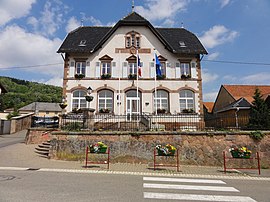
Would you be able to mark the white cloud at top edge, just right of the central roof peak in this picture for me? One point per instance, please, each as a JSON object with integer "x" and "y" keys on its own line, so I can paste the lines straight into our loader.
{"x": 161, "y": 9}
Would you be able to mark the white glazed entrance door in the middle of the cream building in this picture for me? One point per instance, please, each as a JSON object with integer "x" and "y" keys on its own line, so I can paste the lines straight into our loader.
{"x": 133, "y": 108}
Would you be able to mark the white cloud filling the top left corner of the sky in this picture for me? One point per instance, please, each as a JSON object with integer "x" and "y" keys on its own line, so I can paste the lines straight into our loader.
{"x": 13, "y": 9}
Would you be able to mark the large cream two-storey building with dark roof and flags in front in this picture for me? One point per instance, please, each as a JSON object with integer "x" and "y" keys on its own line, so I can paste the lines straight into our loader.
{"x": 119, "y": 66}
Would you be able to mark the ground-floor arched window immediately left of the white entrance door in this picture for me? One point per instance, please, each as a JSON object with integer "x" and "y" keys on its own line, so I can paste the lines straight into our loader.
{"x": 105, "y": 101}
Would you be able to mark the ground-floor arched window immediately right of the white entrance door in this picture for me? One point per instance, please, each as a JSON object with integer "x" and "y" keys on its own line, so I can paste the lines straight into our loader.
{"x": 161, "y": 102}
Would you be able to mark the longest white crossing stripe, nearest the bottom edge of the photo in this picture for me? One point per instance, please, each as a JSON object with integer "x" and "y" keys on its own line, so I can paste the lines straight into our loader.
{"x": 196, "y": 197}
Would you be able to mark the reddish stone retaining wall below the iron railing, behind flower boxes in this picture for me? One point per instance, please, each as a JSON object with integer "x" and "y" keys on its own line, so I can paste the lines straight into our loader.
{"x": 197, "y": 148}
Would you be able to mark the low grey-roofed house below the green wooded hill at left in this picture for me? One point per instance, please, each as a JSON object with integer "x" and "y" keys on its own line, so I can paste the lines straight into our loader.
{"x": 42, "y": 109}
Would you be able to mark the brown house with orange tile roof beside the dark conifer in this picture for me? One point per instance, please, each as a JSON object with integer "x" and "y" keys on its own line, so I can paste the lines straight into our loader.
{"x": 232, "y": 105}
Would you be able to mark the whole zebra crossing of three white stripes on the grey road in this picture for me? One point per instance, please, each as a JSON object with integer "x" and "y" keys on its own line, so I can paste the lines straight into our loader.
{"x": 182, "y": 189}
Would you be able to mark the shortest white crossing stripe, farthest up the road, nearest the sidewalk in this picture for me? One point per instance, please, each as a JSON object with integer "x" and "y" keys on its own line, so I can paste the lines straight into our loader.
{"x": 162, "y": 179}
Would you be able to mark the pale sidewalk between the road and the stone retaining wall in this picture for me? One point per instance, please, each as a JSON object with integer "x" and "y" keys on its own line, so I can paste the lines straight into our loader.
{"x": 24, "y": 156}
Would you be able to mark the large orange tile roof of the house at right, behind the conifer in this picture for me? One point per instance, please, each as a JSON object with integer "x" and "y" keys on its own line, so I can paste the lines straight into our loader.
{"x": 246, "y": 91}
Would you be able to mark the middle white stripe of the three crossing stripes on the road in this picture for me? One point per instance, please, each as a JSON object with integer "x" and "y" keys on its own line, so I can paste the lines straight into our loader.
{"x": 190, "y": 187}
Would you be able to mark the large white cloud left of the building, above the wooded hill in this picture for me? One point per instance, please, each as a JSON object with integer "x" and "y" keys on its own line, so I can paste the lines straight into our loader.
{"x": 26, "y": 49}
